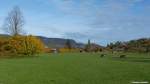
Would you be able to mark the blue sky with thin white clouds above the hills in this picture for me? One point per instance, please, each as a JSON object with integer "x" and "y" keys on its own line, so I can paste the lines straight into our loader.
{"x": 101, "y": 21}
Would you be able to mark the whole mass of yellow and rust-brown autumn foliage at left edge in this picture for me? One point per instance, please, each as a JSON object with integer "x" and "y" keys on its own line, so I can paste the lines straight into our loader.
{"x": 24, "y": 45}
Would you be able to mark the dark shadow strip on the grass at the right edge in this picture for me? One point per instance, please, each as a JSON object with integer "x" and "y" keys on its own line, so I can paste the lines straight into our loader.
{"x": 133, "y": 59}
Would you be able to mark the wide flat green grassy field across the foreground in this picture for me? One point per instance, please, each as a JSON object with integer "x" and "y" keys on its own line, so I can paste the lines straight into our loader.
{"x": 75, "y": 68}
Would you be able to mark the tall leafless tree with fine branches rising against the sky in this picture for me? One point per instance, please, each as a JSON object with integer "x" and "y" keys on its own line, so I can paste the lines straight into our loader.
{"x": 14, "y": 22}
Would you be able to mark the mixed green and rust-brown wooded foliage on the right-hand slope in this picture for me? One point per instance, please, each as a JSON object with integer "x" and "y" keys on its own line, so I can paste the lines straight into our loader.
{"x": 139, "y": 45}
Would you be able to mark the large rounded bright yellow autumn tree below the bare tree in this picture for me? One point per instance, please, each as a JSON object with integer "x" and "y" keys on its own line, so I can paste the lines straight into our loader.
{"x": 27, "y": 45}
